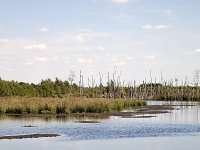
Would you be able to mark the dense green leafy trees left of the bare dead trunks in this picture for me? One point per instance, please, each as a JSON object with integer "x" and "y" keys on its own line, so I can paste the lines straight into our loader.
{"x": 46, "y": 88}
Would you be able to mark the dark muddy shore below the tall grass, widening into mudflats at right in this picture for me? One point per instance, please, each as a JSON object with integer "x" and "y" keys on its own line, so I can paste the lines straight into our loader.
{"x": 145, "y": 110}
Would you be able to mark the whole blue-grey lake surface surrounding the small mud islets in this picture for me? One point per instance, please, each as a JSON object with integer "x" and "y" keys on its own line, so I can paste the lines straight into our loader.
{"x": 179, "y": 129}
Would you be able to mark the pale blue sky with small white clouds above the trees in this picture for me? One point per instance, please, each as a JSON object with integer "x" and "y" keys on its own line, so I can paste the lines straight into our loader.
{"x": 42, "y": 39}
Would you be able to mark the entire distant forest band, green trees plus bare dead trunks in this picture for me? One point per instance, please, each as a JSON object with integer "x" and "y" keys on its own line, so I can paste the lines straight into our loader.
{"x": 113, "y": 89}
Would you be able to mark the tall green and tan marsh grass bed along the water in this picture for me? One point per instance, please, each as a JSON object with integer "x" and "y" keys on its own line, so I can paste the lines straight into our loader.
{"x": 65, "y": 106}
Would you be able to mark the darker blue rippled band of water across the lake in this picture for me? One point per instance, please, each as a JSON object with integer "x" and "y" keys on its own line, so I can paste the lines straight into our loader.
{"x": 109, "y": 130}
